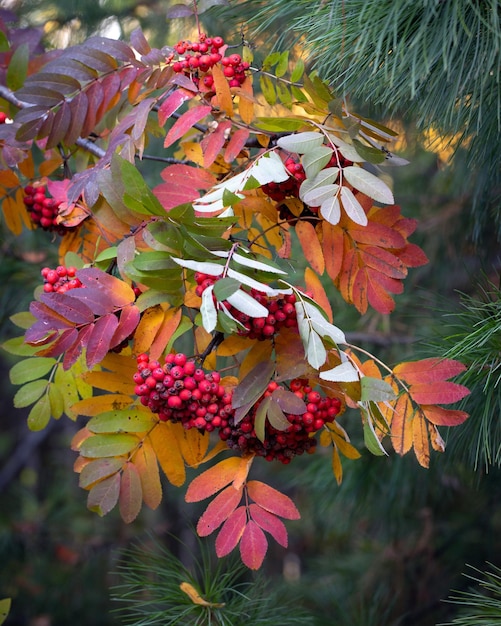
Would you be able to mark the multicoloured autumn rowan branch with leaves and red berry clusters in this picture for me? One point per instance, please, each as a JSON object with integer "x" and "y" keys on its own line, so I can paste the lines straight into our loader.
{"x": 264, "y": 165}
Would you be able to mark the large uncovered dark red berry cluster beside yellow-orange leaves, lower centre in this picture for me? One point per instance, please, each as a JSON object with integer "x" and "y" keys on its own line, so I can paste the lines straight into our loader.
{"x": 180, "y": 391}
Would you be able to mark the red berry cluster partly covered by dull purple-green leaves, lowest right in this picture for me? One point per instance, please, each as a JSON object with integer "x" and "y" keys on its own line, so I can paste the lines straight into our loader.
{"x": 283, "y": 445}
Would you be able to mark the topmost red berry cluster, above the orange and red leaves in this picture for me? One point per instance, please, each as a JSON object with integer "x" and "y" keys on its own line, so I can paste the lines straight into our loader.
{"x": 199, "y": 57}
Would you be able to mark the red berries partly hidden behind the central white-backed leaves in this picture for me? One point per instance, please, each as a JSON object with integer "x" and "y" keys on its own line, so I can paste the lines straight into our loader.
{"x": 282, "y": 312}
